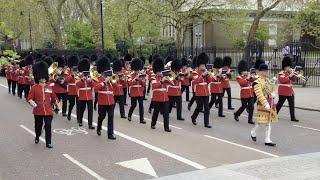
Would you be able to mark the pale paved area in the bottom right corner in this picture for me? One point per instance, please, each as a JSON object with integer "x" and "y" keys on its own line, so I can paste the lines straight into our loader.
{"x": 305, "y": 166}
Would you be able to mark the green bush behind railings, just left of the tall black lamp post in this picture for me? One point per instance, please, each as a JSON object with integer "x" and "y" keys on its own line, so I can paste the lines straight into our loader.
{"x": 80, "y": 36}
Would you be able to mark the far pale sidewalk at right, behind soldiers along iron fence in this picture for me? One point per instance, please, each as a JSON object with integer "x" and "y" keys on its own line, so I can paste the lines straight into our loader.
{"x": 307, "y": 98}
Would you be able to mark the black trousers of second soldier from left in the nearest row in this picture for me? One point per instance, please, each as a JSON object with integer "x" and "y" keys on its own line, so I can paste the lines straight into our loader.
{"x": 102, "y": 112}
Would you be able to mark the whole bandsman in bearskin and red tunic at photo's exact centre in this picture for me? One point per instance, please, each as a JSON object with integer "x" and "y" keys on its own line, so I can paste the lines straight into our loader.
{"x": 160, "y": 100}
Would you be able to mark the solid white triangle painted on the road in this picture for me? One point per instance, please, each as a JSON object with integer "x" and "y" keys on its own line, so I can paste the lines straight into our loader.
{"x": 142, "y": 165}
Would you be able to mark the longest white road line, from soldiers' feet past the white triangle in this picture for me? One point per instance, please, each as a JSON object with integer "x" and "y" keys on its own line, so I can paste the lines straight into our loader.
{"x": 154, "y": 148}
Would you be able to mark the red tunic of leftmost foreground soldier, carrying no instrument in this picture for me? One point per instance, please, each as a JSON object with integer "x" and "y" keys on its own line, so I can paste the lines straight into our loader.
{"x": 44, "y": 97}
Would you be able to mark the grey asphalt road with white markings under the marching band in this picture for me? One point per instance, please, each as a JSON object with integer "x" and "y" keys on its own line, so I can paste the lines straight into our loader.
{"x": 139, "y": 152}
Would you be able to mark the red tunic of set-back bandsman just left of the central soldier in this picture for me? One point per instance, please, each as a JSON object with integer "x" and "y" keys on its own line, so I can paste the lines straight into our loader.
{"x": 136, "y": 87}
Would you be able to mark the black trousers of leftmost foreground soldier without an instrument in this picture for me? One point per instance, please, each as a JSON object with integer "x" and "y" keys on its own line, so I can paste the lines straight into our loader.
{"x": 38, "y": 121}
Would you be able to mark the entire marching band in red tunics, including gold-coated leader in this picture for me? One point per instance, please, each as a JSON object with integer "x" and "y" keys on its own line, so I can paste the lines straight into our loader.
{"x": 49, "y": 85}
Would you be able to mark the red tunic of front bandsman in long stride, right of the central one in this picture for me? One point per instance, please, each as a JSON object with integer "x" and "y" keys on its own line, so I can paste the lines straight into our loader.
{"x": 200, "y": 84}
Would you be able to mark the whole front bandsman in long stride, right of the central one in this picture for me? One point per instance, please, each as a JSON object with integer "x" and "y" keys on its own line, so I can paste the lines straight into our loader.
{"x": 201, "y": 89}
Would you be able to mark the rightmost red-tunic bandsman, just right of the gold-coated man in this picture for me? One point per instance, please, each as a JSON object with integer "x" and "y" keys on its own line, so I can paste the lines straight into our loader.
{"x": 285, "y": 90}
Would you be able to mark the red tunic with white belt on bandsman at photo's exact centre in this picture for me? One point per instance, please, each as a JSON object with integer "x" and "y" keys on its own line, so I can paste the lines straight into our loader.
{"x": 159, "y": 90}
